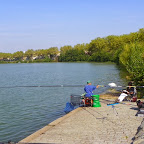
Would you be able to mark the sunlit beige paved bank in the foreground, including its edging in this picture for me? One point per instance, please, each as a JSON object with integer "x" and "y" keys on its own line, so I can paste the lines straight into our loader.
{"x": 89, "y": 125}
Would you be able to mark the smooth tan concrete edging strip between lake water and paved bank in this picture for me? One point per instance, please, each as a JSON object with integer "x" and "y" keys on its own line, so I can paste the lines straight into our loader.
{"x": 49, "y": 126}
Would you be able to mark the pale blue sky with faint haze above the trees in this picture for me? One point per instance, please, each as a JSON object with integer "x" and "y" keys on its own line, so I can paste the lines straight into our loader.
{"x": 41, "y": 24}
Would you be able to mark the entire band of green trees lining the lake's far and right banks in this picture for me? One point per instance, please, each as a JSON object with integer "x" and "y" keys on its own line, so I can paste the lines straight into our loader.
{"x": 126, "y": 50}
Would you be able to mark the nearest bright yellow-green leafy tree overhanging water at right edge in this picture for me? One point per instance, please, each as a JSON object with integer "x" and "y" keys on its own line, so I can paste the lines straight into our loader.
{"x": 133, "y": 61}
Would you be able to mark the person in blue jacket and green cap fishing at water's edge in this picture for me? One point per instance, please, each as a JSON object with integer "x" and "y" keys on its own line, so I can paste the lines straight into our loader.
{"x": 89, "y": 89}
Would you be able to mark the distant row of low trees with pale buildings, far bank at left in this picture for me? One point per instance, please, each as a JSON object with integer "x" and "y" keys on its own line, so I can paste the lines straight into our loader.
{"x": 41, "y": 55}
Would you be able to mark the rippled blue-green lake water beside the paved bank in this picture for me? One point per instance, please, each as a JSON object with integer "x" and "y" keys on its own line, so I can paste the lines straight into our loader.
{"x": 24, "y": 110}
